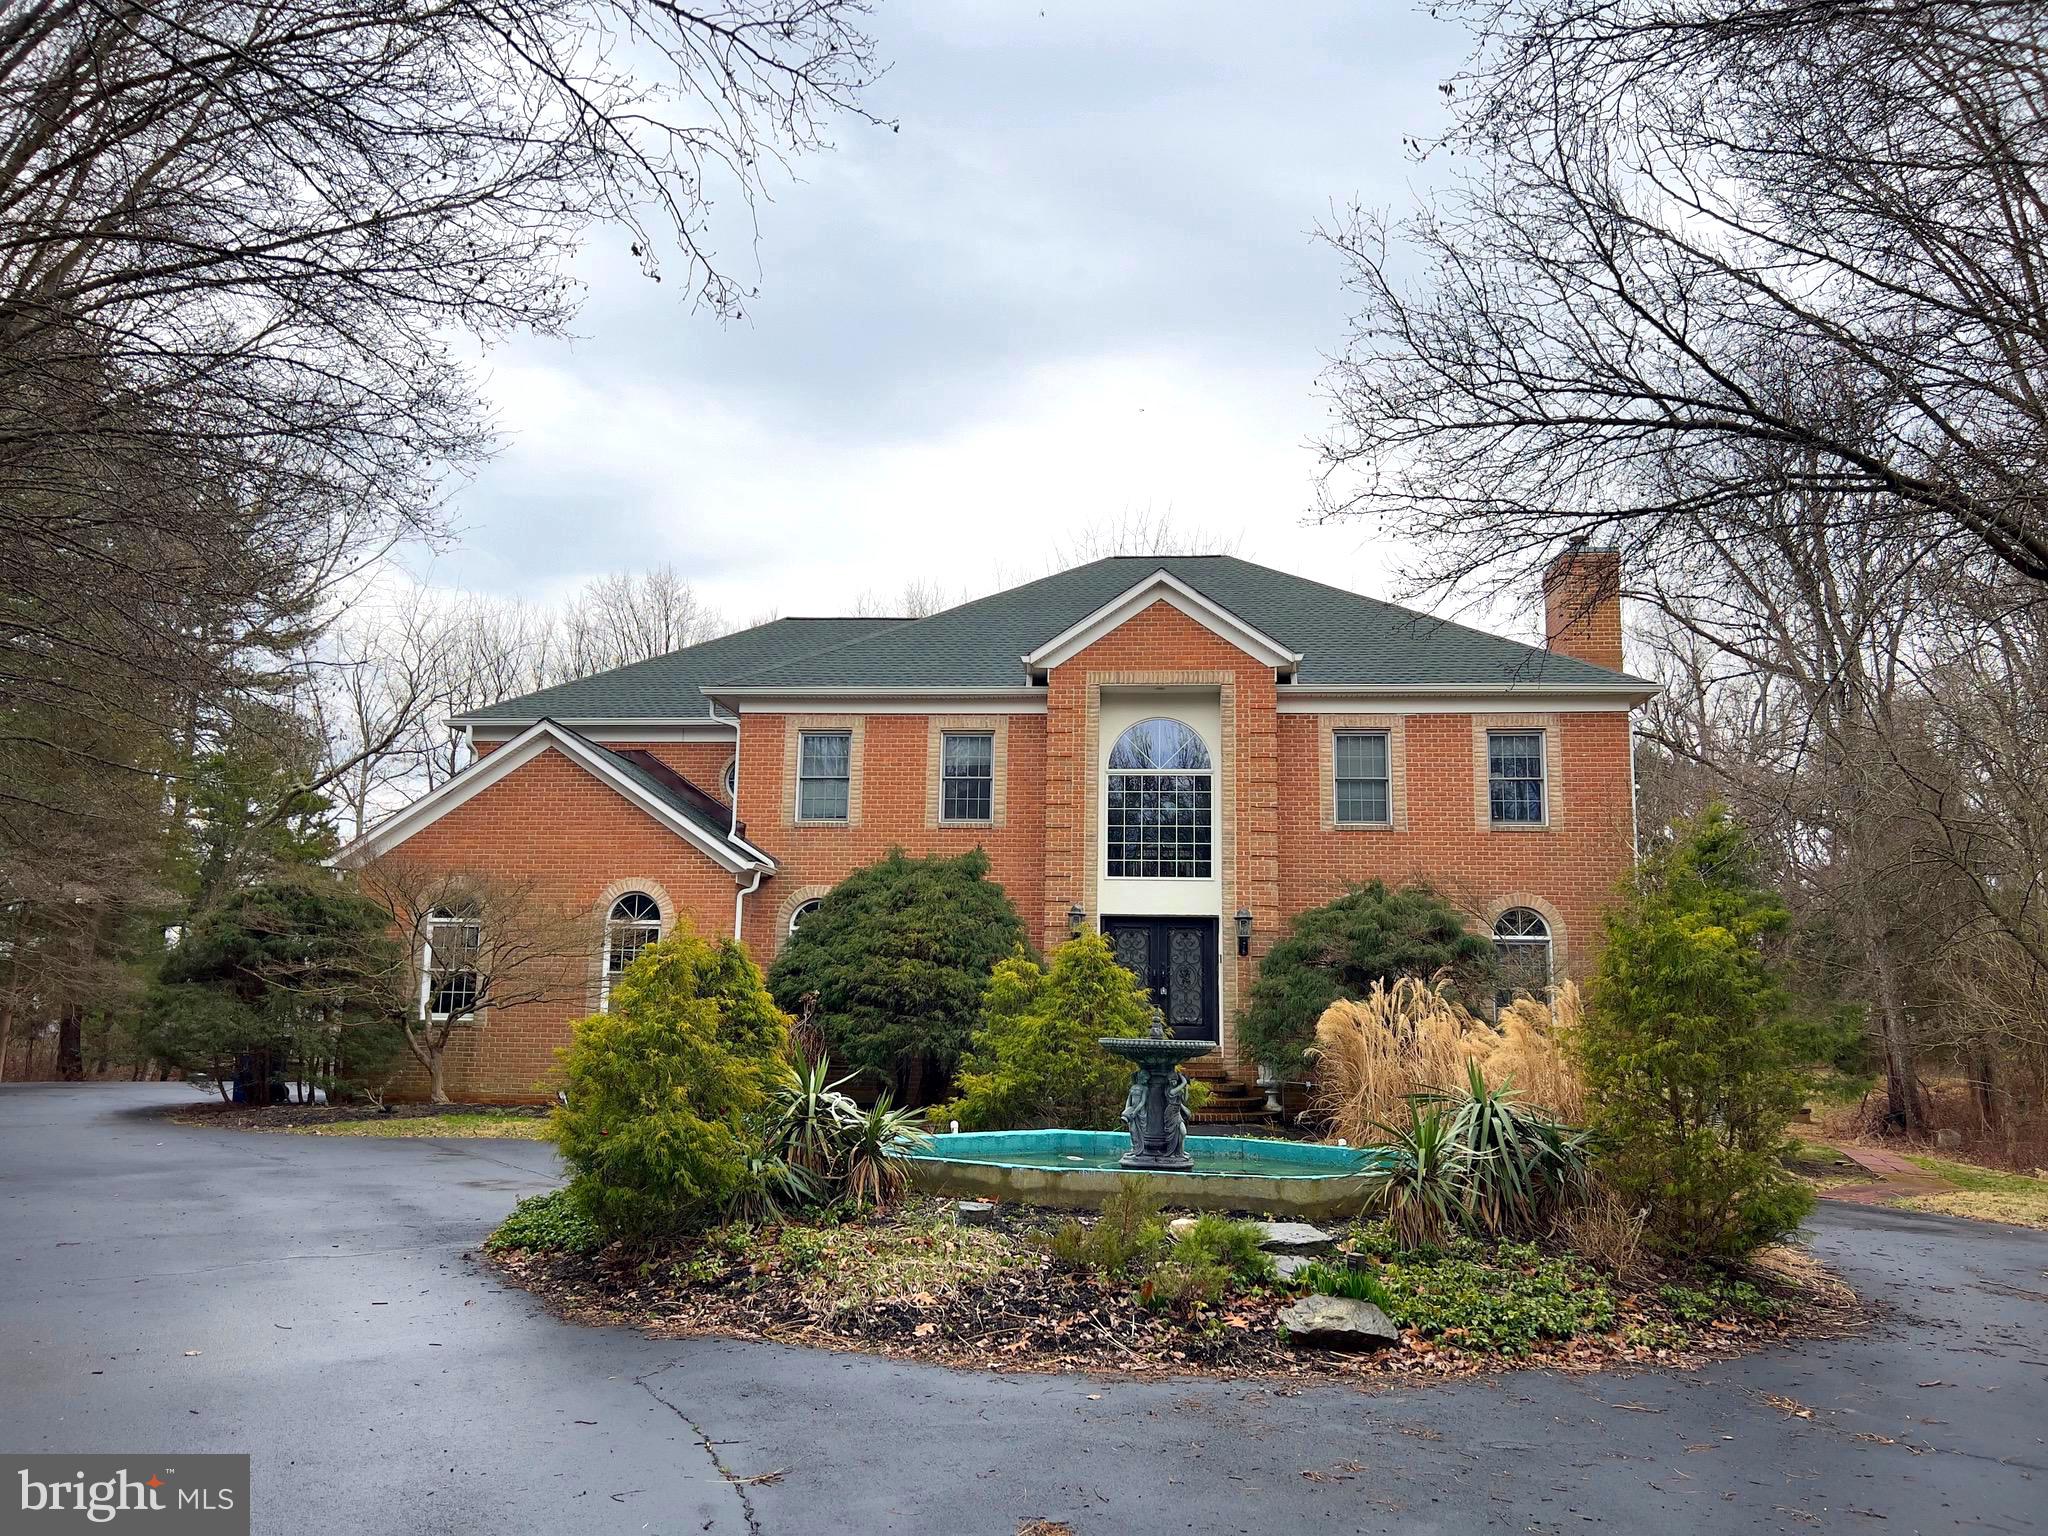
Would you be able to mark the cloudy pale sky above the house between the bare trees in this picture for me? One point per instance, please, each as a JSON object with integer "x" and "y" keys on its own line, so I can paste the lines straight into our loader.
{"x": 1078, "y": 284}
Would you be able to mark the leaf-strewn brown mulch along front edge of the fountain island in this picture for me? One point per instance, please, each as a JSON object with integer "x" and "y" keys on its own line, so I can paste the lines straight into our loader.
{"x": 1037, "y": 1316}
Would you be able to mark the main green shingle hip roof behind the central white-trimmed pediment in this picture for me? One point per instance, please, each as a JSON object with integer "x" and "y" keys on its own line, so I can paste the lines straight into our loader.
{"x": 1347, "y": 640}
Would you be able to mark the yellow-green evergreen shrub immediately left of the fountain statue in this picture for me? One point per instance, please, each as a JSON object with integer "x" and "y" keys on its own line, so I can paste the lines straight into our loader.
{"x": 1035, "y": 1062}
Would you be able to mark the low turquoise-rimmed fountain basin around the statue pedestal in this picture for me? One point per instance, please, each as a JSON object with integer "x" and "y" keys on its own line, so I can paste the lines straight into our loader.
{"x": 1080, "y": 1170}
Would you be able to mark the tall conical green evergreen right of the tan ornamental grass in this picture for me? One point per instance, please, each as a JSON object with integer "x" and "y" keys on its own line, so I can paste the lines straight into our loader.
{"x": 1693, "y": 1054}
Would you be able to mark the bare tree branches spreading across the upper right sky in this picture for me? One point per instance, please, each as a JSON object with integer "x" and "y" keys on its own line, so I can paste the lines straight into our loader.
{"x": 1676, "y": 234}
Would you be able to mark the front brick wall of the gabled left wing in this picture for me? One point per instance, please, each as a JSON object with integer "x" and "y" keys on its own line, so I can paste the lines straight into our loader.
{"x": 556, "y": 822}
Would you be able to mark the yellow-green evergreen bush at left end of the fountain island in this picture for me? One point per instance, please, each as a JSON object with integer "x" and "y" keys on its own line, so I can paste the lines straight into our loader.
{"x": 663, "y": 1093}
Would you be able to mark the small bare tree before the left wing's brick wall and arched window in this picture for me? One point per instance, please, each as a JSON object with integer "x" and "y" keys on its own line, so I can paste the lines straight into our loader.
{"x": 468, "y": 945}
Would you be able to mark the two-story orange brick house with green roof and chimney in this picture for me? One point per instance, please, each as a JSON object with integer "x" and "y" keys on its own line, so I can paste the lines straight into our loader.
{"x": 1179, "y": 751}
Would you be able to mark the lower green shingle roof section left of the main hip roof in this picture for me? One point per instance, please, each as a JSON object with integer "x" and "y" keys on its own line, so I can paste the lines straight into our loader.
{"x": 673, "y": 687}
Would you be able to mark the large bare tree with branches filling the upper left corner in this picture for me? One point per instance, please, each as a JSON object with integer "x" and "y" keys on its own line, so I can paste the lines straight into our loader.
{"x": 237, "y": 247}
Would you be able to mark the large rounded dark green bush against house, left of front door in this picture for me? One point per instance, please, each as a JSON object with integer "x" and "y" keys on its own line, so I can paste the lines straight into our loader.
{"x": 898, "y": 957}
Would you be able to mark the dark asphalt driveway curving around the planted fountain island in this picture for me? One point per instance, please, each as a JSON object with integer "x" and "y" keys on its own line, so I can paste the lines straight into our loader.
{"x": 384, "y": 1383}
